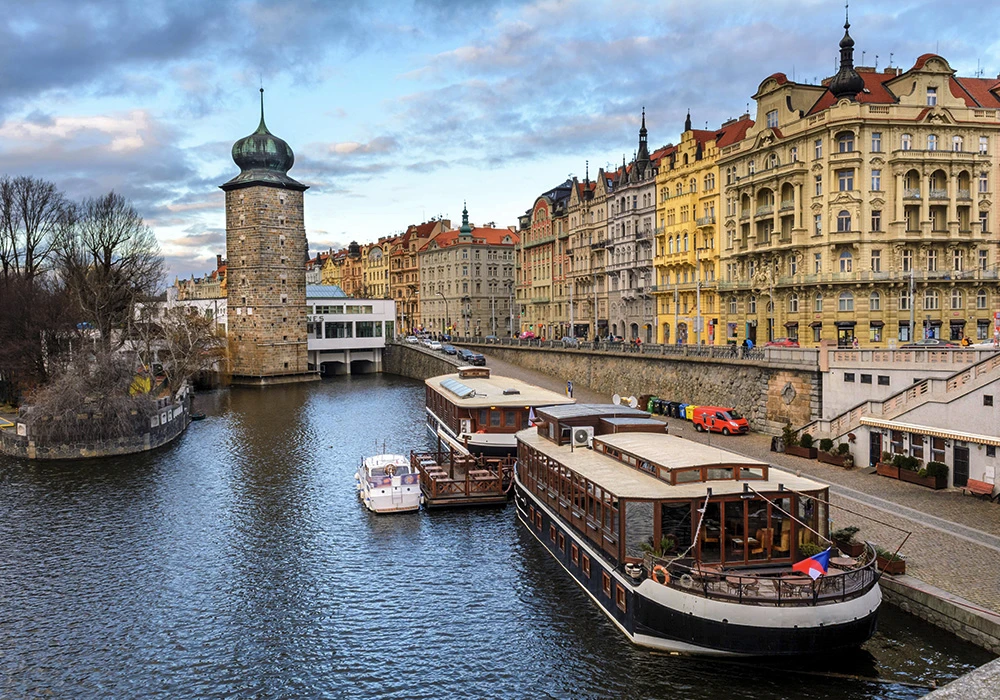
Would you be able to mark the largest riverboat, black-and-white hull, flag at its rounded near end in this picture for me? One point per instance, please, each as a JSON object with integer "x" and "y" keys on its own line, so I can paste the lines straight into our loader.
{"x": 685, "y": 547}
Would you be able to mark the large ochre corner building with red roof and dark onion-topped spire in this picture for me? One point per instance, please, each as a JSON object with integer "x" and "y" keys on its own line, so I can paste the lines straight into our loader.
{"x": 862, "y": 208}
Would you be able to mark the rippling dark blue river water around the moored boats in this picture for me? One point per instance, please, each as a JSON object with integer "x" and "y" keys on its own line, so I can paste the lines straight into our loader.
{"x": 237, "y": 562}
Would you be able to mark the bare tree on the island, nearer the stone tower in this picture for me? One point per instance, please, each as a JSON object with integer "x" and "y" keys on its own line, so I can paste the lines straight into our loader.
{"x": 109, "y": 259}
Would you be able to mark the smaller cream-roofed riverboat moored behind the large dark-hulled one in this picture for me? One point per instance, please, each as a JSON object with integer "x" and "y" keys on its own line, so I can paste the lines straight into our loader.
{"x": 474, "y": 412}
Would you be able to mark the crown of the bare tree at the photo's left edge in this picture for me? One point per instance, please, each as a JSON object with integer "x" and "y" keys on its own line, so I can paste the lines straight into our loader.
{"x": 32, "y": 213}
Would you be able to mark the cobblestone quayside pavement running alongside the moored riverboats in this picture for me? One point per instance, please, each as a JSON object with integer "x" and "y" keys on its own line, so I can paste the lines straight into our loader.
{"x": 955, "y": 538}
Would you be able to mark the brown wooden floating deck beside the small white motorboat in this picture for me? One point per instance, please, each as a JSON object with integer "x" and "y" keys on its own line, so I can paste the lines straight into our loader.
{"x": 450, "y": 480}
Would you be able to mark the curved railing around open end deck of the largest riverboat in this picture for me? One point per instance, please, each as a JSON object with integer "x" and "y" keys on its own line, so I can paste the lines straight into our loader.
{"x": 774, "y": 586}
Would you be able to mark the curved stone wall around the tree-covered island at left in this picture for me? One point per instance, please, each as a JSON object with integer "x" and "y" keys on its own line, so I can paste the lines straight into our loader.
{"x": 171, "y": 420}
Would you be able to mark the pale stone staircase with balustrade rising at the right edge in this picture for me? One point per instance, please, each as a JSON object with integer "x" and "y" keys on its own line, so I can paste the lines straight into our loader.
{"x": 940, "y": 390}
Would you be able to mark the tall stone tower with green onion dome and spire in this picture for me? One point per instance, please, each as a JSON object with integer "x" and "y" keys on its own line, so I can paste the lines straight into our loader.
{"x": 266, "y": 244}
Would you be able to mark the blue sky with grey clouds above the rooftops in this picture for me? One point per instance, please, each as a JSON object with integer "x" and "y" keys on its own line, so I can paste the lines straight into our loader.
{"x": 401, "y": 111}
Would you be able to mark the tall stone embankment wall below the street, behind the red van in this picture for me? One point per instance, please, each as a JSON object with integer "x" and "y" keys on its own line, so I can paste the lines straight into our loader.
{"x": 768, "y": 394}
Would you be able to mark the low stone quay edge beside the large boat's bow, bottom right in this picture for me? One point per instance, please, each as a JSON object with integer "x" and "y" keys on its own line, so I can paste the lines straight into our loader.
{"x": 944, "y": 610}
